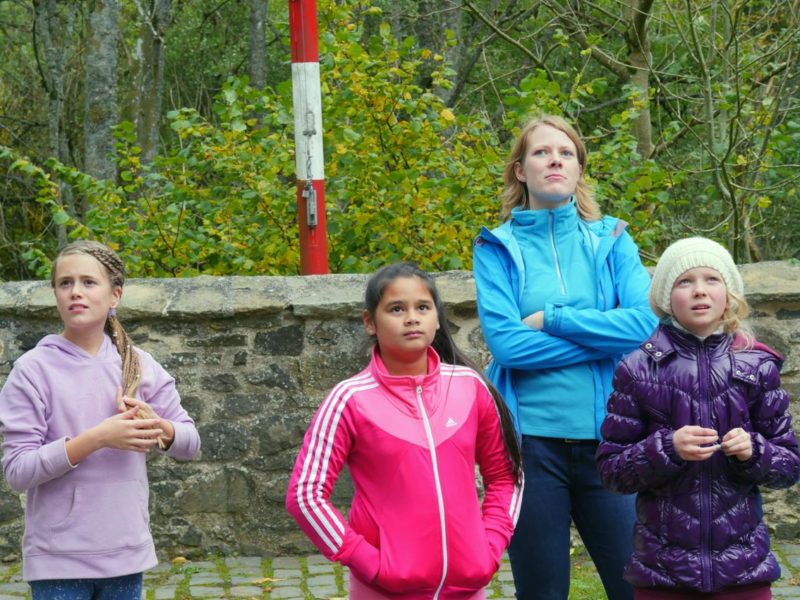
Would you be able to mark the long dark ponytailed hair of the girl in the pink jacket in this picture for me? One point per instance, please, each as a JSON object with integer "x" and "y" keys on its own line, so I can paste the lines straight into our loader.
{"x": 444, "y": 345}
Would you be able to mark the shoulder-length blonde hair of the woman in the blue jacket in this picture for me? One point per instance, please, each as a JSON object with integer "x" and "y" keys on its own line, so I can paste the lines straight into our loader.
{"x": 516, "y": 192}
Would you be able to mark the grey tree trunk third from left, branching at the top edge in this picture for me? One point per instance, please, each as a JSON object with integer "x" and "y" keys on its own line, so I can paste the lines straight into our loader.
{"x": 151, "y": 78}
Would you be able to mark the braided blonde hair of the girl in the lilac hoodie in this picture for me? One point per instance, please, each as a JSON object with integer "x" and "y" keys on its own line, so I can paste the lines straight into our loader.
{"x": 131, "y": 368}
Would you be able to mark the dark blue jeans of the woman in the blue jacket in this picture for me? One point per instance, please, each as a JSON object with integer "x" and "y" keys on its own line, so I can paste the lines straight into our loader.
{"x": 562, "y": 485}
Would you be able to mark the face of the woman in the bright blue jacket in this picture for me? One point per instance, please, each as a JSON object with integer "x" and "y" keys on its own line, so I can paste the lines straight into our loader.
{"x": 550, "y": 167}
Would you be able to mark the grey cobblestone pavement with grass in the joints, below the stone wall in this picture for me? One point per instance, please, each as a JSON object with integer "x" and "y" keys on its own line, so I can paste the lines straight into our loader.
{"x": 309, "y": 577}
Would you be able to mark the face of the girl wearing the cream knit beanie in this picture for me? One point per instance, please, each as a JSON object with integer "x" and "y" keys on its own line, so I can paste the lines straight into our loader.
{"x": 698, "y": 300}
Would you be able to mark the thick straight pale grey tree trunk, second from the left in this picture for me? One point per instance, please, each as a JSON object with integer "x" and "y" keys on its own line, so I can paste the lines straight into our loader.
{"x": 101, "y": 90}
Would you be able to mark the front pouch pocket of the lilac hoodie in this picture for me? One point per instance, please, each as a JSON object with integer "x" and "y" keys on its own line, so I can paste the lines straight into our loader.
{"x": 102, "y": 517}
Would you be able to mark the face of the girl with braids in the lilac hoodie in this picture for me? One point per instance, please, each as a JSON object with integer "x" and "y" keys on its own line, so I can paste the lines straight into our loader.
{"x": 83, "y": 296}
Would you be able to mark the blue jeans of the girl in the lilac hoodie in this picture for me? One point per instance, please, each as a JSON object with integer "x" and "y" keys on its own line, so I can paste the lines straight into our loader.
{"x": 126, "y": 587}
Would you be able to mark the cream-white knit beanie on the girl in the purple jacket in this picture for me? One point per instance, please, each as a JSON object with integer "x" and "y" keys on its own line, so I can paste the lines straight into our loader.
{"x": 687, "y": 254}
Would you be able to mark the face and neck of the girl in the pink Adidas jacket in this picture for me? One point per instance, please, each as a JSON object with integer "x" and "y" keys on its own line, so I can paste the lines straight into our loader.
{"x": 404, "y": 323}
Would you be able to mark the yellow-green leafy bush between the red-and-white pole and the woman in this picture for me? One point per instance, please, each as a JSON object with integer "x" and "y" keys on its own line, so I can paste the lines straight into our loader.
{"x": 407, "y": 178}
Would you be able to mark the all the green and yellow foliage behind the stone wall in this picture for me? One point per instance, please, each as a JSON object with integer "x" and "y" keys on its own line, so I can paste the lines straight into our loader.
{"x": 407, "y": 176}
